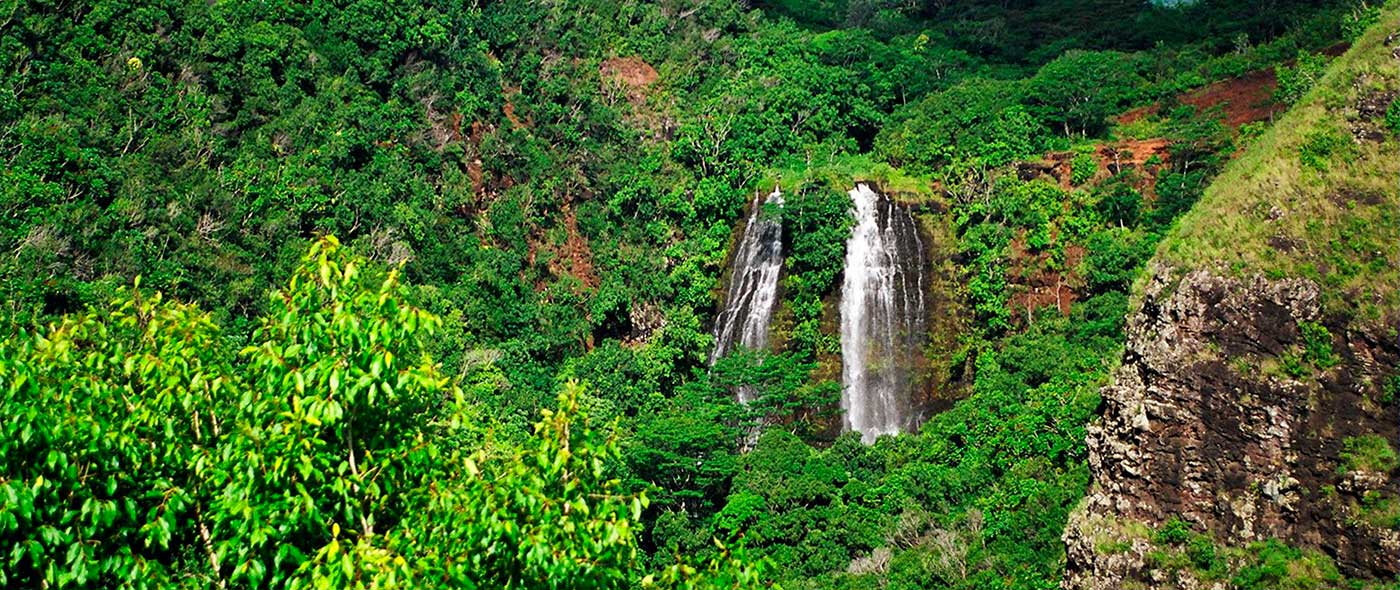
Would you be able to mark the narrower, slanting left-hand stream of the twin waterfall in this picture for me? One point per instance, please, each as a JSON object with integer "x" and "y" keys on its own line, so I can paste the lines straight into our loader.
{"x": 748, "y": 306}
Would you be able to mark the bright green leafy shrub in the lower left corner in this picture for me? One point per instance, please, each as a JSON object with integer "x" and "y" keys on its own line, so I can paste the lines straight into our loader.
{"x": 108, "y": 414}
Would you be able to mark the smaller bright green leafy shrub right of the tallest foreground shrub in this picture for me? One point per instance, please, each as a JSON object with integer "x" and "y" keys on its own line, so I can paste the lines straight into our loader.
{"x": 545, "y": 516}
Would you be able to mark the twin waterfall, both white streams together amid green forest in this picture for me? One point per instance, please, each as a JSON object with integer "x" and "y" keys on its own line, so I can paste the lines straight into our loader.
{"x": 884, "y": 316}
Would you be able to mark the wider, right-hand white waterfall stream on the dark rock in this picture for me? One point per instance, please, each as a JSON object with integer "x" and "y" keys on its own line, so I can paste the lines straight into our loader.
{"x": 883, "y": 317}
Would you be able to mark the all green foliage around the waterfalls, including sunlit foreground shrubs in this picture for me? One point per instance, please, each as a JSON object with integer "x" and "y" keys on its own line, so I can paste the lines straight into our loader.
{"x": 559, "y": 183}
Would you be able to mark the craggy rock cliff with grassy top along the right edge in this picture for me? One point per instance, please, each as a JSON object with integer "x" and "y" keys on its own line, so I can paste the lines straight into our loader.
{"x": 1249, "y": 438}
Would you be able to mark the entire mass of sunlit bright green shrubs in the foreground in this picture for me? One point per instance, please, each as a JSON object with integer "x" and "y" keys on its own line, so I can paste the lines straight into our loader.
{"x": 328, "y": 453}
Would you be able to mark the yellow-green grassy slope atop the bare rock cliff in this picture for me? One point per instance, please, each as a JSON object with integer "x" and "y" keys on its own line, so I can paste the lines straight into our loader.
{"x": 1342, "y": 215}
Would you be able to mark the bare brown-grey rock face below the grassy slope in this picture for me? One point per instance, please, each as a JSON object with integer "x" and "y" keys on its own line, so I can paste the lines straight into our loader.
{"x": 1231, "y": 411}
